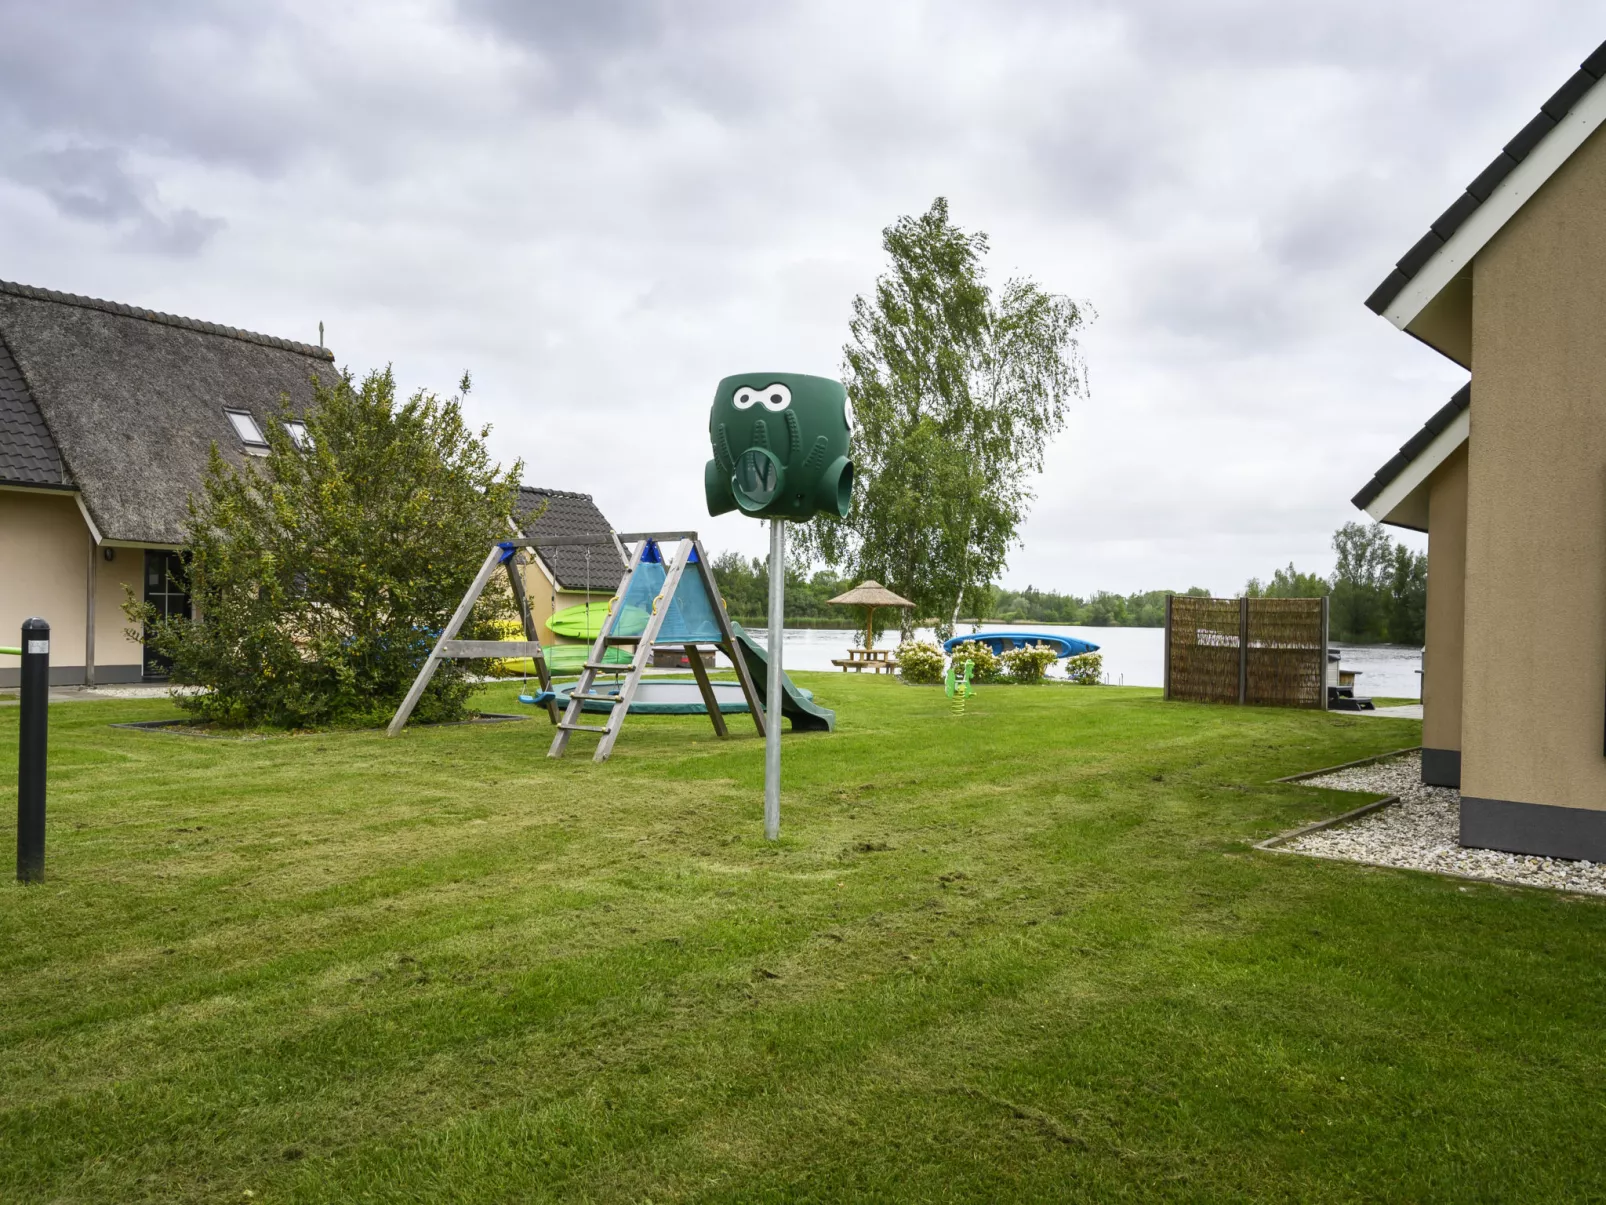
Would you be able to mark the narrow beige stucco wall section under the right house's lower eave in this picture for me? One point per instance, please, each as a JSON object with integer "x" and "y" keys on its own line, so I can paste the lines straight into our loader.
{"x": 1441, "y": 663}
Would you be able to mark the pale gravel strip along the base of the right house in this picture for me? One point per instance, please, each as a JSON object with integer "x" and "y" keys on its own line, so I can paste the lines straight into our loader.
{"x": 1421, "y": 835}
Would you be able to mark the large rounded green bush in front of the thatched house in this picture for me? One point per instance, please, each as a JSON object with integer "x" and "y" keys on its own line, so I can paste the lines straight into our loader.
{"x": 322, "y": 573}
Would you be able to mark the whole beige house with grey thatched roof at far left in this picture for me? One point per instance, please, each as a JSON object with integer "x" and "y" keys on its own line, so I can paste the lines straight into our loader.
{"x": 108, "y": 415}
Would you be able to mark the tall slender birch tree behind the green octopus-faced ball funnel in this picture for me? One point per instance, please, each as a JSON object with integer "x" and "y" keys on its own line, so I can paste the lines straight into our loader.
{"x": 958, "y": 393}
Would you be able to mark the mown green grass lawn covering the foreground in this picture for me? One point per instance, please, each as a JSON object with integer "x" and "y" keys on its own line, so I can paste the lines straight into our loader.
{"x": 1021, "y": 955}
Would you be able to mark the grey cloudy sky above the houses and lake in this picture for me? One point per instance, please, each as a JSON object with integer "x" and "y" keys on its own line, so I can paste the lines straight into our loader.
{"x": 603, "y": 206}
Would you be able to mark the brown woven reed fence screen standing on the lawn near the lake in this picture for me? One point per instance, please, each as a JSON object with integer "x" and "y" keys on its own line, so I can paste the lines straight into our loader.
{"x": 1263, "y": 652}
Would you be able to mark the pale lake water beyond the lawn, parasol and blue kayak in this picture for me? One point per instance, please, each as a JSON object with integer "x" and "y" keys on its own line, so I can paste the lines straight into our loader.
{"x": 1131, "y": 656}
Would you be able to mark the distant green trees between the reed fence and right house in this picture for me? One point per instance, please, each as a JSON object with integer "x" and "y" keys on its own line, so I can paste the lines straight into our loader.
{"x": 1379, "y": 589}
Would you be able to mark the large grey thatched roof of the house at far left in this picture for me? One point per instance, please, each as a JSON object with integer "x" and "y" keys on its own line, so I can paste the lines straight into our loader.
{"x": 132, "y": 402}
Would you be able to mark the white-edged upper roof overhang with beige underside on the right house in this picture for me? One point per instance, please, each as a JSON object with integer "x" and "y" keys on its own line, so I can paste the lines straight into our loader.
{"x": 1437, "y": 303}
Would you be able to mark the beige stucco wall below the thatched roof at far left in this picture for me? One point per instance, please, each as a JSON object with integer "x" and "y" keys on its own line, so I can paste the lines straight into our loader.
{"x": 44, "y": 571}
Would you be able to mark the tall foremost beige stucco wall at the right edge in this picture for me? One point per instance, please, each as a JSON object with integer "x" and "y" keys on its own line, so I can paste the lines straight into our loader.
{"x": 1536, "y": 523}
